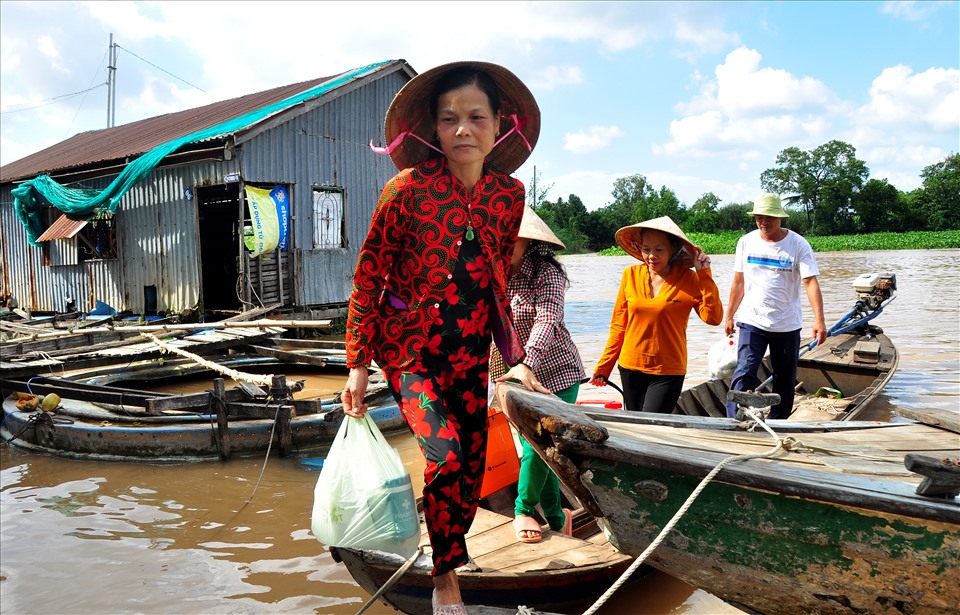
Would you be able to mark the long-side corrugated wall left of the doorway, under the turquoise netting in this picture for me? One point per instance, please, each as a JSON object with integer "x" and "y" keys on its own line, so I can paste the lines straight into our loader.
{"x": 156, "y": 246}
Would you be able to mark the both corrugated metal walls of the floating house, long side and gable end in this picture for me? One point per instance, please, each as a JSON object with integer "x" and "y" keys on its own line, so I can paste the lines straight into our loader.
{"x": 157, "y": 224}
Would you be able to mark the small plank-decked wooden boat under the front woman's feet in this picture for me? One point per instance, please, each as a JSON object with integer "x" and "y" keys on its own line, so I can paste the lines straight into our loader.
{"x": 550, "y": 575}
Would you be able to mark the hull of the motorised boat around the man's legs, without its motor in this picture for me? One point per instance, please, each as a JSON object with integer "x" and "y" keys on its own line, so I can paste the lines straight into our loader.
{"x": 858, "y": 364}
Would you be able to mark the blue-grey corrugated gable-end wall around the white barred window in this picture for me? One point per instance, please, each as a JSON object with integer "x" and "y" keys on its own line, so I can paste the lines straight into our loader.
{"x": 329, "y": 145}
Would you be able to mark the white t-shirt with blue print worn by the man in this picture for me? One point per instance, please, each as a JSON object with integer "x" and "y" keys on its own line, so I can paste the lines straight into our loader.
{"x": 772, "y": 278}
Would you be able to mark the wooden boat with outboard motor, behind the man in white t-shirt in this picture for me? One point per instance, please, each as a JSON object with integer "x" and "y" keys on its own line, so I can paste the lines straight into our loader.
{"x": 836, "y": 380}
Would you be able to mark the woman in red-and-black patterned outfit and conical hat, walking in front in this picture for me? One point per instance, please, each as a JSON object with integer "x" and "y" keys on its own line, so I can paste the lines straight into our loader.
{"x": 430, "y": 284}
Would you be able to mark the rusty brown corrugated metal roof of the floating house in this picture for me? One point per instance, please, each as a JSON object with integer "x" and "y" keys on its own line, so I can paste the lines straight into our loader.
{"x": 136, "y": 138}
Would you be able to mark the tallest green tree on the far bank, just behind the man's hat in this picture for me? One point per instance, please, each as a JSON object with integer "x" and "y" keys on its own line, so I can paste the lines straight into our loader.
{"x": 822, "y": 181}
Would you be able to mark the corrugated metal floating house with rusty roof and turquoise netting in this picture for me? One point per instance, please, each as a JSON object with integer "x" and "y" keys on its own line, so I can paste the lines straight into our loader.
{"x": 262, "y": 200}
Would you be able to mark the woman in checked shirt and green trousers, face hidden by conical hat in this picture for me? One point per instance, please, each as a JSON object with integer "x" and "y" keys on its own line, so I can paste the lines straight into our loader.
{"x": 551, "y": 363}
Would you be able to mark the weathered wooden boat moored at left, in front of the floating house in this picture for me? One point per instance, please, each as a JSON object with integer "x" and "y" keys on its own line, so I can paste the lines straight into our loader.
{"x": 114, "y": 413}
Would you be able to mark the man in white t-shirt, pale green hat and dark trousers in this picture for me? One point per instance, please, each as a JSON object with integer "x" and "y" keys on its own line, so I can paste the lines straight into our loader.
{"x": 770, "y": 266}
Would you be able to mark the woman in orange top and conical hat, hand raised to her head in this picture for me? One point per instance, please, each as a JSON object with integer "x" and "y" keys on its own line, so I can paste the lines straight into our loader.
{"x": 648, "y": 328}
